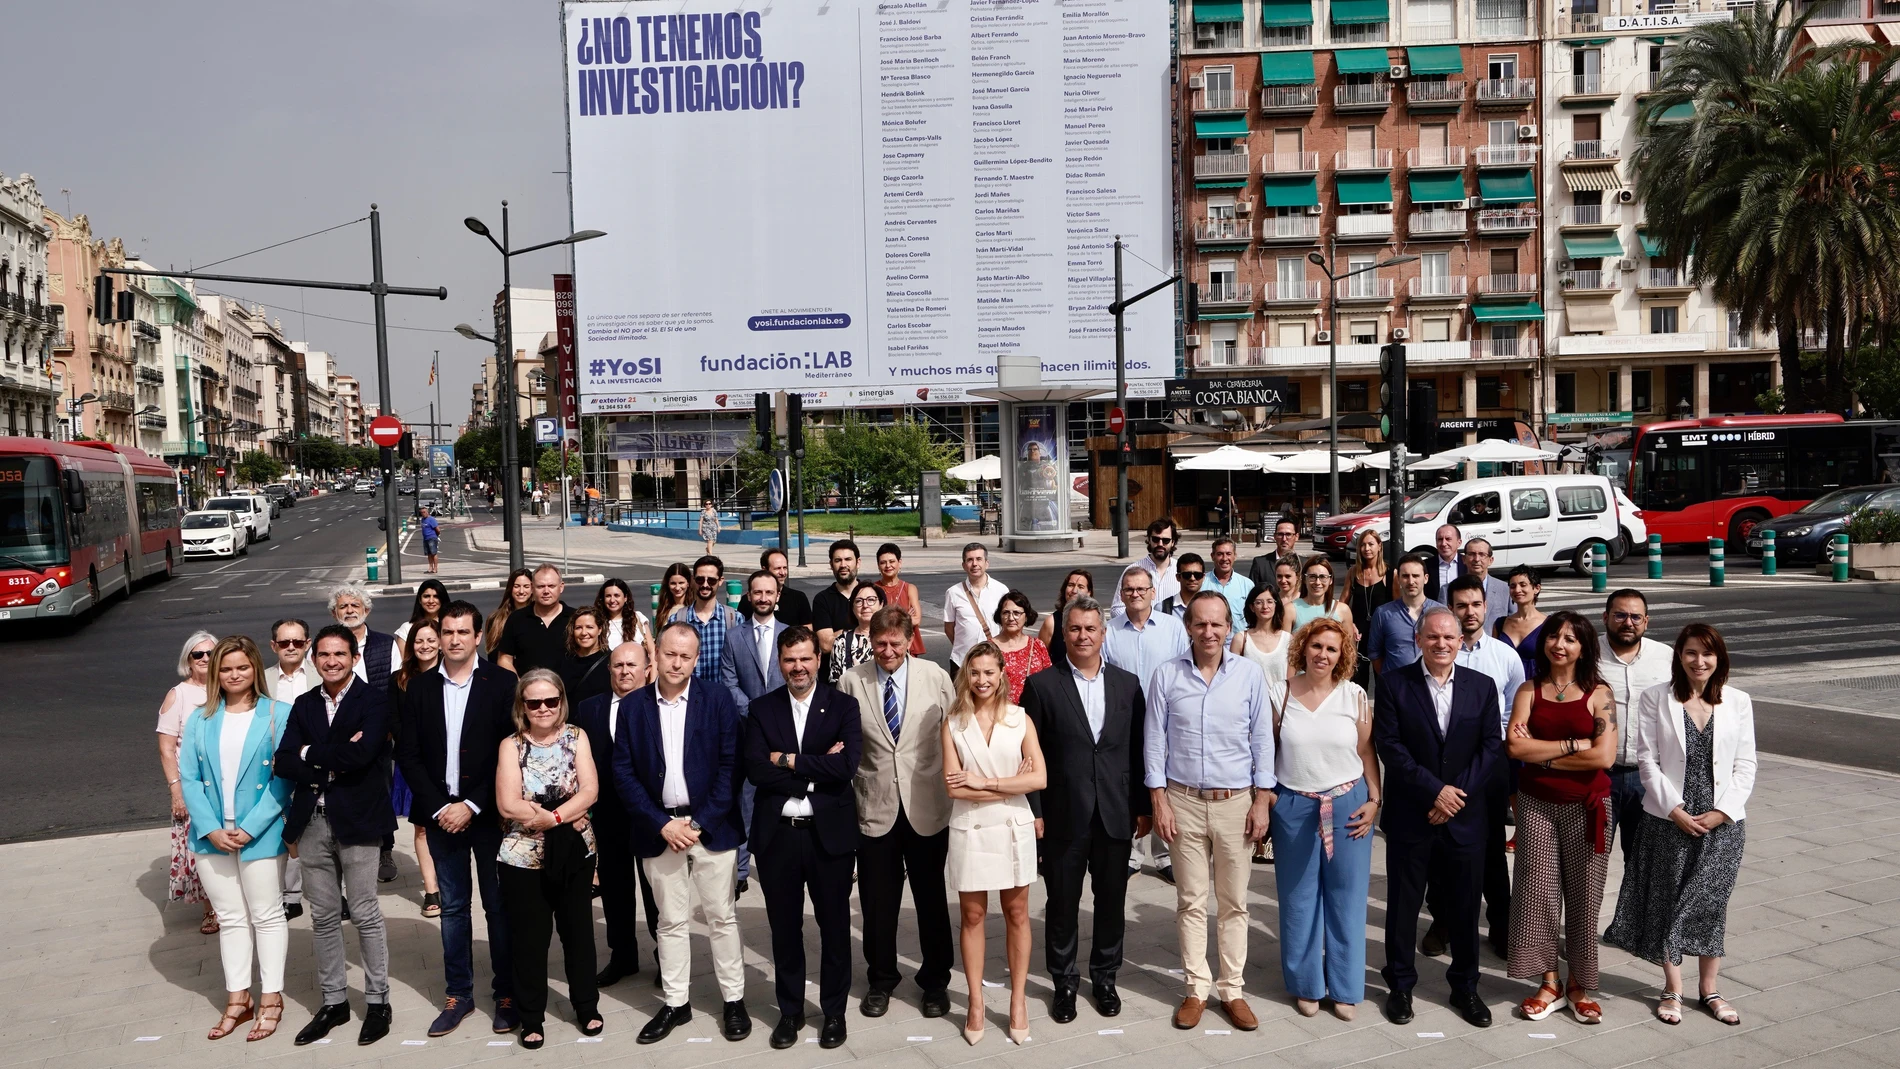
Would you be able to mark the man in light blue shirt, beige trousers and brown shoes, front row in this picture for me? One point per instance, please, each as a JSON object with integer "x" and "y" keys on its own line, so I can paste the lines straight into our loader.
{"x": 1209, "y": 768}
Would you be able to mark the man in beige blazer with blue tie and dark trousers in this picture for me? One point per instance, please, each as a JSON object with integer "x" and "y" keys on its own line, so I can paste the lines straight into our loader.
{"x": 903, "y": 812}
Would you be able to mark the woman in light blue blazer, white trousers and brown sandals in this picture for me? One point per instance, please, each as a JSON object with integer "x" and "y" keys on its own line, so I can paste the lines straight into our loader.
{"x": 237, "y": 825}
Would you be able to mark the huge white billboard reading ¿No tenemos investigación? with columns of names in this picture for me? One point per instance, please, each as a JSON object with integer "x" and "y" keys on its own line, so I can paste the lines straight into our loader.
{"x": 865, "y": 200}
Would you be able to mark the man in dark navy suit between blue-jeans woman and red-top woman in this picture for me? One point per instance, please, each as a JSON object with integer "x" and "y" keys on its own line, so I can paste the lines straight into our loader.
{"x": 1437, "y": 730}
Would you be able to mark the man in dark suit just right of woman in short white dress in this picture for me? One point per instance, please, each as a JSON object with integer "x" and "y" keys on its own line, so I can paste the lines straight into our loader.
{"x": 1090, "y": 717}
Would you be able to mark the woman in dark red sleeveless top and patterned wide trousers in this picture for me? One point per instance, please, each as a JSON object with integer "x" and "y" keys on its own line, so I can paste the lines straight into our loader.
{"x": 1565, "y": 730}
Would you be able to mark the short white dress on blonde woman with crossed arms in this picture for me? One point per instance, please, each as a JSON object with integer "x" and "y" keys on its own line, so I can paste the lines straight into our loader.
{"x": 993, "y": 844}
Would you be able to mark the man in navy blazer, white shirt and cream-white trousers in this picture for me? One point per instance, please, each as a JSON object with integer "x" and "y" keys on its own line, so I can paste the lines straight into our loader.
{"x": 677, "y": 772}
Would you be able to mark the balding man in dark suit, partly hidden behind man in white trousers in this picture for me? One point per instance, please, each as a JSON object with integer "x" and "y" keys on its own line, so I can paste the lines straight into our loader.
{"x": 622, "y": 884}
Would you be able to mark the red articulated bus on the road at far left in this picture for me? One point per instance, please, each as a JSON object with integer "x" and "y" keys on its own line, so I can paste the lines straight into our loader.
{"x": 81, "y": 523}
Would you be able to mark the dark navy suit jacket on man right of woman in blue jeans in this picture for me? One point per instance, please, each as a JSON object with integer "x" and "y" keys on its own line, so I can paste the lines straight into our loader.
{"x": 1420, "y": 760}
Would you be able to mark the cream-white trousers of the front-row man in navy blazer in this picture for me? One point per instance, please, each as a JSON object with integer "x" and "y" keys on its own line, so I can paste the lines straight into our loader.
{"x": 677, "y": 880}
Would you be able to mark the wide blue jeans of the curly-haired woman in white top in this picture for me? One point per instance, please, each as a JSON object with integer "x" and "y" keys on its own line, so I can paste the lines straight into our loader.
{"x": 1323, "y": 901}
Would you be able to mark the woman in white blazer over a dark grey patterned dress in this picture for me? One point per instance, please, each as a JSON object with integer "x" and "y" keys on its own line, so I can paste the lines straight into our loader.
{"x": 1696, "y": 751}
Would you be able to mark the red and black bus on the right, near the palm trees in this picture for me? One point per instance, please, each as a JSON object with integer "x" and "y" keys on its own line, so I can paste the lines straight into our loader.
{"x": 1719, "y": 478}
